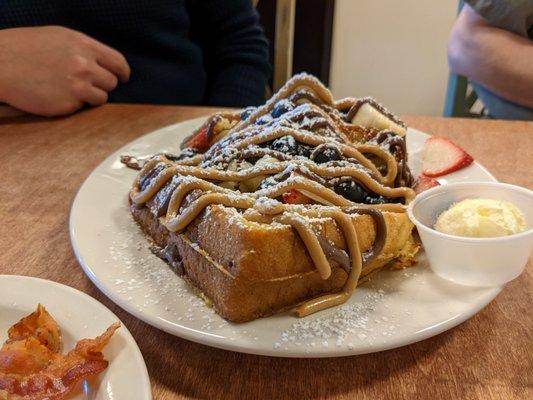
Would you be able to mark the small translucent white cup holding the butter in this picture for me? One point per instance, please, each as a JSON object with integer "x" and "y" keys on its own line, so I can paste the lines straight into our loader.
{"x": 473, "y": 261}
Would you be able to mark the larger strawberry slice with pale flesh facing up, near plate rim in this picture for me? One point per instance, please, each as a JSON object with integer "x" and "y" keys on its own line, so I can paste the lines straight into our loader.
{"x": 440, "y": 156}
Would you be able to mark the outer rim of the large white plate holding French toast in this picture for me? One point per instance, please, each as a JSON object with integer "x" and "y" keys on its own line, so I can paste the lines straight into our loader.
{"x": 208, "y": 339}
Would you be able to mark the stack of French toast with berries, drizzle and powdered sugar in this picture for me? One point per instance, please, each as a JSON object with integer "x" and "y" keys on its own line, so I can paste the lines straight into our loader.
{"x": 284, "y": 206}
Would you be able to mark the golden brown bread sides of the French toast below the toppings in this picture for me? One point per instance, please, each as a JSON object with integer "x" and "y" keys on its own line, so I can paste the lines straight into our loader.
{"x": 254, "y": 270}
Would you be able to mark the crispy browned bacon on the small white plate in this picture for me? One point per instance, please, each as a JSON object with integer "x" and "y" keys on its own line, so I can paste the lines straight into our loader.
{"x": 31, "y": 367}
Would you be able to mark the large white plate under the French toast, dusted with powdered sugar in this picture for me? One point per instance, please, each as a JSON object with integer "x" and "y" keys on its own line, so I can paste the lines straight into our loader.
{"x": 394, "y": 309}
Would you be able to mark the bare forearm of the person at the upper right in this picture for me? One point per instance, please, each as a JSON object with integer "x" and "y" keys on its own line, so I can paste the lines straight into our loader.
{"x": 495, "y": 58}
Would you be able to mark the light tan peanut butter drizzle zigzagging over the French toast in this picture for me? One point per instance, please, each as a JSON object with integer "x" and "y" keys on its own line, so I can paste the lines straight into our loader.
{"x": 197, "y": 178}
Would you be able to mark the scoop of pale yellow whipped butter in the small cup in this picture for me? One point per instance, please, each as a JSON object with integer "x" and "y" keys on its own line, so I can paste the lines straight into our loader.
{"x": 481, "y": 218}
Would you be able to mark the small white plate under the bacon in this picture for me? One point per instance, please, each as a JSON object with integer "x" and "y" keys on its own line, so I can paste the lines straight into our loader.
{"x": 79, "y": 316}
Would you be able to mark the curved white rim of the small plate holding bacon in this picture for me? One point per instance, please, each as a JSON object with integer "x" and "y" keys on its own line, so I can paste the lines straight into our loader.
{"x": 124, "y": 332}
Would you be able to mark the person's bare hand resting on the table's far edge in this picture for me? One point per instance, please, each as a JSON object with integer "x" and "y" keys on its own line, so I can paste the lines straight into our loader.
{"x": 53, "y": 70}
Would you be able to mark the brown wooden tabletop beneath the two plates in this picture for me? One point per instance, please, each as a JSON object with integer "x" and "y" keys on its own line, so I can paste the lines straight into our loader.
{"x": 44, "y": 161}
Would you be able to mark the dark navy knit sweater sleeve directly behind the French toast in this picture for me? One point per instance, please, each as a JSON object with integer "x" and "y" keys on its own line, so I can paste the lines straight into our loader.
{"x": 235, "y": 51}
